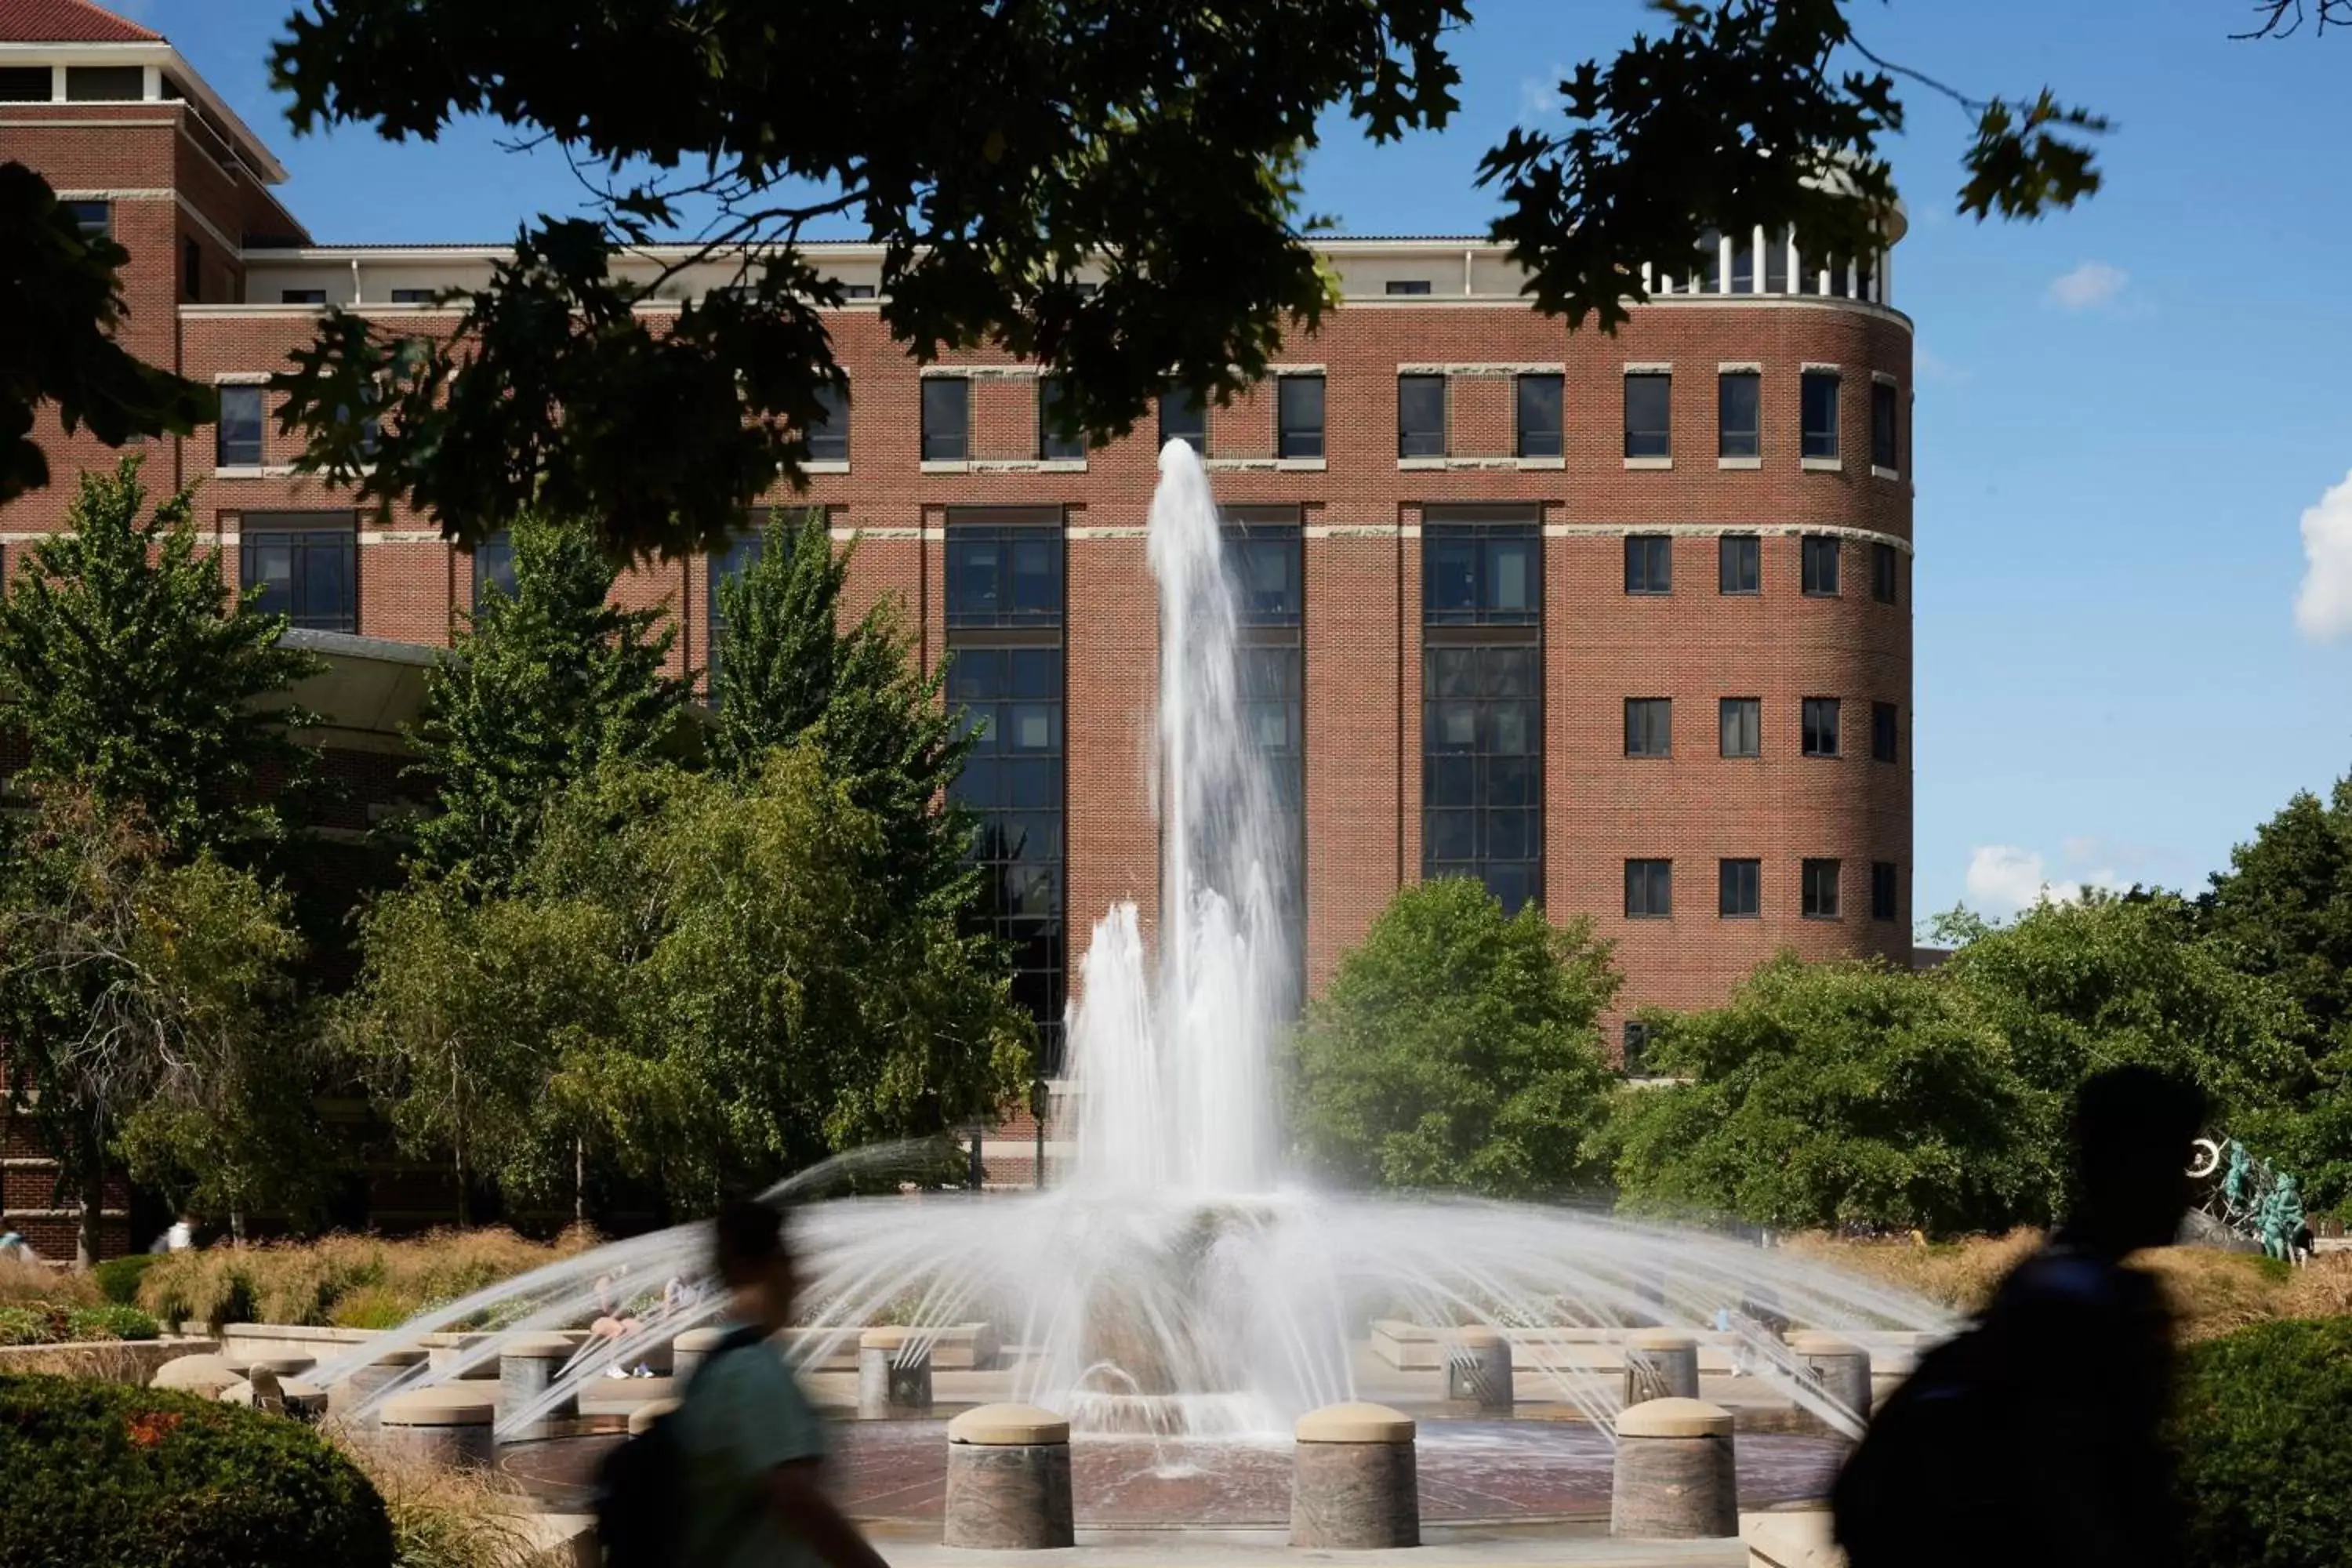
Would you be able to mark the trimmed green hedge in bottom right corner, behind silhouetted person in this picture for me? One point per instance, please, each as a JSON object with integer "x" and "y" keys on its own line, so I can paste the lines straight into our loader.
{"x": 2266, "y": 1447}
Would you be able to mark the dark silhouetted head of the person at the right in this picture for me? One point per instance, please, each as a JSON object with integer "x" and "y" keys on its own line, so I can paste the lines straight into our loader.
{"x": 2132, "y": 1148}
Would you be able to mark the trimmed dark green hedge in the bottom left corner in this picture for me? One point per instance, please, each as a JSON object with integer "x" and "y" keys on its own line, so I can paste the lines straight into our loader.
{"x": 102, "y": 1473}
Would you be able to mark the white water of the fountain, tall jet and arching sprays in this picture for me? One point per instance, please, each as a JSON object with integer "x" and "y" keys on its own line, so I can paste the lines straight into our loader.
{"x": 1175, "y": 1282}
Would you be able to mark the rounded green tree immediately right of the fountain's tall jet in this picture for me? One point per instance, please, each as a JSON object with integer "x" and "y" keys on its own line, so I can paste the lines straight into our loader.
{"x": 1459, "y": 1050}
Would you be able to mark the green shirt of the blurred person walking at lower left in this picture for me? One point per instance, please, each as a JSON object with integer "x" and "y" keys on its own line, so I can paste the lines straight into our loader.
{"x": 742, "y": 1419}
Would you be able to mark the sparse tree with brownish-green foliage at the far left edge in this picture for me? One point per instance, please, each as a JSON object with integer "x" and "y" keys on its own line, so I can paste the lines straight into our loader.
{"x": 131, "y": 984}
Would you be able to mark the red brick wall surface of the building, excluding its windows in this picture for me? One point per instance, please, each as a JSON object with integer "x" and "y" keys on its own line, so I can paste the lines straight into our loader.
{"x": 1361, "y": 509}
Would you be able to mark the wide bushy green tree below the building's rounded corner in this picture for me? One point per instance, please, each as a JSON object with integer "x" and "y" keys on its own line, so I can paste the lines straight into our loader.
{"x": 1833, "y": 1094}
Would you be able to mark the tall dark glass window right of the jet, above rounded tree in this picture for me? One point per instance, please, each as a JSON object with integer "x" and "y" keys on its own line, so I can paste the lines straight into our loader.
{"x": 1483, "y": 702}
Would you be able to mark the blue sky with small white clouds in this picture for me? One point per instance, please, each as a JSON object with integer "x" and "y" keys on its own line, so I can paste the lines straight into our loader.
{"x": 2123, "y": 420}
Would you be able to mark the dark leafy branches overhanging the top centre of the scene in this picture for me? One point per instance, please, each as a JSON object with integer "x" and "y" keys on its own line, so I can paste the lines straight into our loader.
{"x": 994, "y": 154}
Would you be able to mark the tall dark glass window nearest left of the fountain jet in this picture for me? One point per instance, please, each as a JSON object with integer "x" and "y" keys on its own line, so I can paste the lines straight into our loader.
{"x": 1005, "y": 671}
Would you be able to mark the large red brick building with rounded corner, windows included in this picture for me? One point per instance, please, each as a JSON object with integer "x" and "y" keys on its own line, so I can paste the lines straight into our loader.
{"x": 1615, "y": 622}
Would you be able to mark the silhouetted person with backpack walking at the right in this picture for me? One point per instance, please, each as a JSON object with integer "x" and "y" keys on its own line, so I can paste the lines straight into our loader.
{"x": 2036, "y": 1438}
